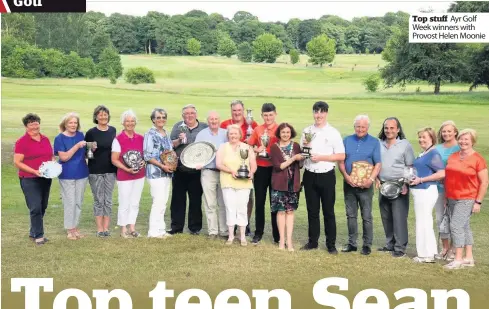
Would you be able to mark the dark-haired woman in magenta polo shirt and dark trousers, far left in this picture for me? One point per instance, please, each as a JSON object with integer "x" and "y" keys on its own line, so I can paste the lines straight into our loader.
{"x": 30, "y": 151}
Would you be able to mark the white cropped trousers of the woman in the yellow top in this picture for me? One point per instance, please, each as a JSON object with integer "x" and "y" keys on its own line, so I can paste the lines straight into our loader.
{"x": 236, "y": 201}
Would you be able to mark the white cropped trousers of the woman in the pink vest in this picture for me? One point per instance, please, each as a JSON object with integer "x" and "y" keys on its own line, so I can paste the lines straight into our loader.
{"x": 129, "y": 193}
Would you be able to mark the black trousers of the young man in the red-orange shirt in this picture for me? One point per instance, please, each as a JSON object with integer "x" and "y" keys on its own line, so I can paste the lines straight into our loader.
{"x": 261, "y": 183}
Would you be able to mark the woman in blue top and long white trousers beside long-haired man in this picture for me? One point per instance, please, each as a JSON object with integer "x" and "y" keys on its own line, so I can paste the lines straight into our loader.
{"x": 430, "y": 169}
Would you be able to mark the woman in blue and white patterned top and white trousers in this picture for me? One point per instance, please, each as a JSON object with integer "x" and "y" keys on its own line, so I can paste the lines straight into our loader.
{"x": 159, "y": 173}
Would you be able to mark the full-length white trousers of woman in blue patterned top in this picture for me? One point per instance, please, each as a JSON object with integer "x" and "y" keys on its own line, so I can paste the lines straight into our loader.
{"x": 160, "y": 192}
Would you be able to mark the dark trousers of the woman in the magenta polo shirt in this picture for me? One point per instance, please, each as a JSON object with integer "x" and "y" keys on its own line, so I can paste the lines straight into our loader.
{"x": 36, "y": 192}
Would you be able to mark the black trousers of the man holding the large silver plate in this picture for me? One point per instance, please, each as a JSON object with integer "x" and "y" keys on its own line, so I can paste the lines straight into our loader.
{"x": 182, "y": 183}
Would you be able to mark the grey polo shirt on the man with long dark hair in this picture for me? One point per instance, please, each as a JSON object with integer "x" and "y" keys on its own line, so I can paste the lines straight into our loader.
{"x": 395, "y": 159}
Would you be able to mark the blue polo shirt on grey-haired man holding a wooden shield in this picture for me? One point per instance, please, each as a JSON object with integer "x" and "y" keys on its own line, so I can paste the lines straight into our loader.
{"x": 366, "y": 148}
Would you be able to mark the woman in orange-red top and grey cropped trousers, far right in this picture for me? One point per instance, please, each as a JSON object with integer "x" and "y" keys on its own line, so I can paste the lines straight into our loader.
{"x": 466, "y": 182}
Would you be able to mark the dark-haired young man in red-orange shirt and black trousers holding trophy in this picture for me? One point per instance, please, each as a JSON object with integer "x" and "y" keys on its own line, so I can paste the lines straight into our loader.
{"x": 262, "y": 138}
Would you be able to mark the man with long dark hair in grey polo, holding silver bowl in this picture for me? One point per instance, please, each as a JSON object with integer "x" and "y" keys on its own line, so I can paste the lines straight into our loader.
{"x": 396, "y": 155}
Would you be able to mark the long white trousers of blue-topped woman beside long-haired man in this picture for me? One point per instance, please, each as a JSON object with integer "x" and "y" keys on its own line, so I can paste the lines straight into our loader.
{"x": 424, "y": 202}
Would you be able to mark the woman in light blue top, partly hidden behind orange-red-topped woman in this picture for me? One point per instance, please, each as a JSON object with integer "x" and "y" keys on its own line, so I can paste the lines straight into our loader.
{"x": 447, "y": 137}
